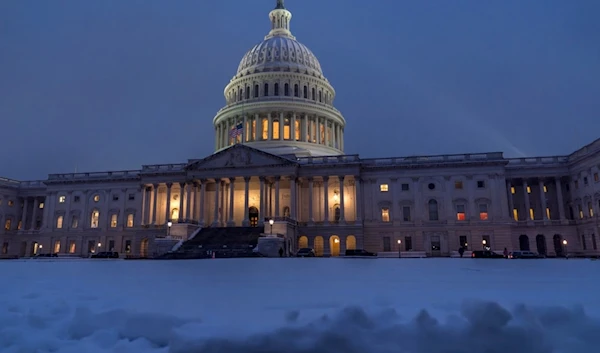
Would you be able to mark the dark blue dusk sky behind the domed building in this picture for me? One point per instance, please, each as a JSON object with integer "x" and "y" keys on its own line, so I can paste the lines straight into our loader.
{"x": 114, "y": 84}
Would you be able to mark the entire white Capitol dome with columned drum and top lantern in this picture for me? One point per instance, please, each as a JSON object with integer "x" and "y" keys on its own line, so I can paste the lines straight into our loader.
{"x": 279, "y": 100}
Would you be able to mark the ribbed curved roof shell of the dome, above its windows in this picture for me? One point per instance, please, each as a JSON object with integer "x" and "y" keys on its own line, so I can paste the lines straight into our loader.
{"x": 280, "y": 53}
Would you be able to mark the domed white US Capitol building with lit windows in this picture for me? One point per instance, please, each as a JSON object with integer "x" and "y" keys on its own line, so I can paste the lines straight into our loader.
{"x": 279, "y": 155}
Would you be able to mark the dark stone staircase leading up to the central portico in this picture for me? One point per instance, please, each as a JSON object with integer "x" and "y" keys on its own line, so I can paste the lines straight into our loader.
{"x": 222, "y": 242}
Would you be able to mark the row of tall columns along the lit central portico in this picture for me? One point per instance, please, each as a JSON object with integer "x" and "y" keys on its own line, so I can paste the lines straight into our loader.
{"x": 225, "y": 188}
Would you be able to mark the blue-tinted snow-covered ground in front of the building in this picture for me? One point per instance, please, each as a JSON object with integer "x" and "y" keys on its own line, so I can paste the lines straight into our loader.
{"x": 300, "y": 305}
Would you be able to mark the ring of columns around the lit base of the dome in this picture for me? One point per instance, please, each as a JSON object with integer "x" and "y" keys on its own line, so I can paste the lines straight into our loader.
{"x": 302, "y": 128}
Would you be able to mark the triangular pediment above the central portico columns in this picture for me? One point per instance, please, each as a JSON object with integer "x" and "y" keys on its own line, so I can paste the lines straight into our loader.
{"x": 239, "y": 156}
